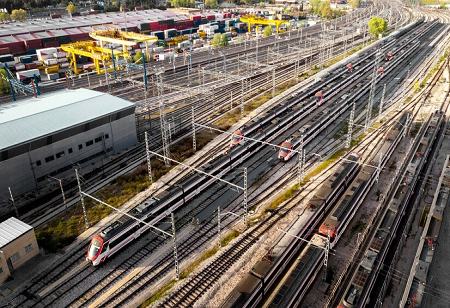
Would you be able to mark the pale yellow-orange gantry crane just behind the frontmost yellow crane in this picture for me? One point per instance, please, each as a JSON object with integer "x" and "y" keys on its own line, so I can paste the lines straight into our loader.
{"x": 126, "y": 39}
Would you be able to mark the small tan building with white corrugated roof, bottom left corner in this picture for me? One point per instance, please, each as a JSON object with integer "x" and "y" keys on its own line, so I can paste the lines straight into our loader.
{"x": 17, "y": 246}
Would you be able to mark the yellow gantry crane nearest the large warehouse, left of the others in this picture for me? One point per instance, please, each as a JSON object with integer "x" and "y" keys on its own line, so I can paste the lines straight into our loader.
{"x": 91, "y": 50}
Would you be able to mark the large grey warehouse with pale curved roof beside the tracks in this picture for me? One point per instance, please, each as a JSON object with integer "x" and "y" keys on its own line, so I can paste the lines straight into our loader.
{"x": 55, "y": 133}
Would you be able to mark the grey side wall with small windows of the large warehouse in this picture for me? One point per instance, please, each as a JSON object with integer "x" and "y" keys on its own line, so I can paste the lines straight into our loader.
{"x": 29, "y": 170}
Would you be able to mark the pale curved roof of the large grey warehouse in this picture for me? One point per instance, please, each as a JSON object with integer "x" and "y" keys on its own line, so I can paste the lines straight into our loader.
{"x": 36, "y": 118}
